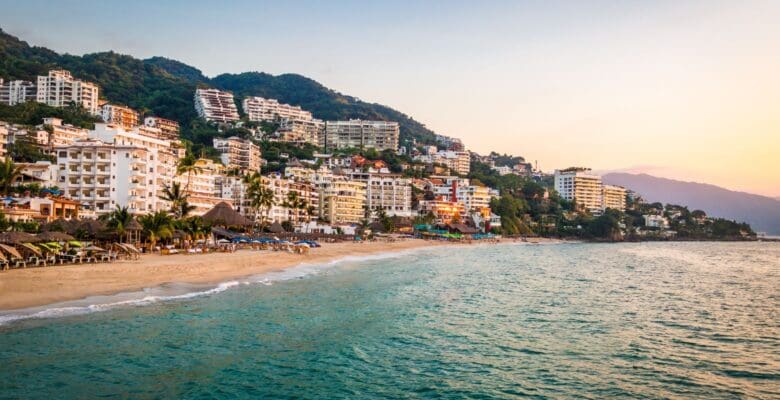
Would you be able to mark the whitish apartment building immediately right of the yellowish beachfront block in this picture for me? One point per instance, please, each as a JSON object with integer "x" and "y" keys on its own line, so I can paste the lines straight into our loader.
{"x": 391, "y": 193}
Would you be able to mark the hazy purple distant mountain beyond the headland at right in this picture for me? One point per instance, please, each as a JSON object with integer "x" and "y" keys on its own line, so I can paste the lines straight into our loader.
{"x": 761, "y": 212}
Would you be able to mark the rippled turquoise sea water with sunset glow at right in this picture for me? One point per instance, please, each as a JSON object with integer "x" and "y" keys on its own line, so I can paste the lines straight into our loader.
{"x": 657, "y": 320}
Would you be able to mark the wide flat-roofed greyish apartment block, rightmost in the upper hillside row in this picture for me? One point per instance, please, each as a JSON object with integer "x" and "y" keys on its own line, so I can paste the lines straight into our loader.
{"x": 380, "y": 135}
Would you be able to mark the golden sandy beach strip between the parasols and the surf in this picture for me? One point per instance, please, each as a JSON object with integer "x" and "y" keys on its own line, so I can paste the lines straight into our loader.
{"x": 29, "y": 287}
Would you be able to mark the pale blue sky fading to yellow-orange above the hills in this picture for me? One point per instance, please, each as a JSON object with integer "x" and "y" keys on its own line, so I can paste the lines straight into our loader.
{"x": 681, "y": 89}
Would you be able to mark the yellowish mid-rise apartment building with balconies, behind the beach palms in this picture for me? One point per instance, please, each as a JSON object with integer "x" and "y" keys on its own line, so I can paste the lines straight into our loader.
{"x": 342, "y": 201}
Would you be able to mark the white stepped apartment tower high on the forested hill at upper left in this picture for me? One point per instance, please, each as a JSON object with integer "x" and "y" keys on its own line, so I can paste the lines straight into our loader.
{"x": 60, "y": 89}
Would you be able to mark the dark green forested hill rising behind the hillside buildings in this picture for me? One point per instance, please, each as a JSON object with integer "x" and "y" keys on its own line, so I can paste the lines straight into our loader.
{"x": 165, "y": 87}
